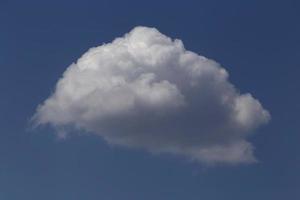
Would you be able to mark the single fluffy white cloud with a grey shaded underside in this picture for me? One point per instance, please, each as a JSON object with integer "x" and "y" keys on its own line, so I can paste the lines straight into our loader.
{"x": 145, "y": 90}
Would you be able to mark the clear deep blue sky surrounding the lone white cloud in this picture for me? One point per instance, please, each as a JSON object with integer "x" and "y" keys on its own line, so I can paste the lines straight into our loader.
{"x": 257, "y": 41}
